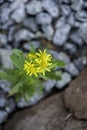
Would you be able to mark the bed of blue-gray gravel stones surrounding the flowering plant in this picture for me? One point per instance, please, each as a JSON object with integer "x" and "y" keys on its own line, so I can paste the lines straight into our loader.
{"x": 62, "y": 24}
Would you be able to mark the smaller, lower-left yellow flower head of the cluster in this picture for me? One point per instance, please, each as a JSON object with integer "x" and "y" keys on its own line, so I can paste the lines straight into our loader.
{"x": 30, "y": 68}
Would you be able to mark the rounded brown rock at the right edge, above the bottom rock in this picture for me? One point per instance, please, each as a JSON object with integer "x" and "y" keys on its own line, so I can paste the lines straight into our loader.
{"x": 75, "y": 96}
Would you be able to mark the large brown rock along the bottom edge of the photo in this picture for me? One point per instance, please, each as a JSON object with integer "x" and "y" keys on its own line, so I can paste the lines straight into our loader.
{"x": 50, "y": 114}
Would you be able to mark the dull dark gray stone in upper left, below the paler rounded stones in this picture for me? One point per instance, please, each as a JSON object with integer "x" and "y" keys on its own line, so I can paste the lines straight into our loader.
{"x": 30, "y": 24}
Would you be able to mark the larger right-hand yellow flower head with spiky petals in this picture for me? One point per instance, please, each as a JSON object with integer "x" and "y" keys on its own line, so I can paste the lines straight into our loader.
{"x": 44, "y": 61}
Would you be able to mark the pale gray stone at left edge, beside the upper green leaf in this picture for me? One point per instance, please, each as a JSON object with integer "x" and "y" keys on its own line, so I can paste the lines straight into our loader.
{"x": 5, "y": 58}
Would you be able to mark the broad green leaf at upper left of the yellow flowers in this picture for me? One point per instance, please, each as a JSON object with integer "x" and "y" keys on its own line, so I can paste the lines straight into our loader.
{"x": 18, "y": 58}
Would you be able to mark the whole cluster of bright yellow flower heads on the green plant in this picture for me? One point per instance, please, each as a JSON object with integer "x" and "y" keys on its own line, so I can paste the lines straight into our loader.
{"x": 38, "y": 63}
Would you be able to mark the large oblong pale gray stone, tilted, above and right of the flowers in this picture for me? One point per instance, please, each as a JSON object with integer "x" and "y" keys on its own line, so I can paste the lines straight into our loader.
{"x": 61, "y": 35}
